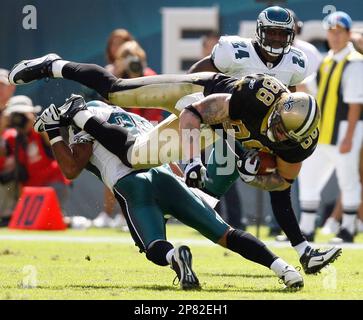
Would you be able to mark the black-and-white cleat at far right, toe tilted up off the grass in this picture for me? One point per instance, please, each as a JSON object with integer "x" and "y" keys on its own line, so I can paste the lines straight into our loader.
{"x": 313, "y": 260}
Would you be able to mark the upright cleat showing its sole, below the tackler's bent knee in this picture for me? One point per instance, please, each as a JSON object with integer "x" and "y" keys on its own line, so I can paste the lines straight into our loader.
{"x": 182, "y": 265}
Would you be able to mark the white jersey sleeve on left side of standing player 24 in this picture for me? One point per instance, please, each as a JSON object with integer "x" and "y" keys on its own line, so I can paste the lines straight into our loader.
{"x": 222, "y": 54}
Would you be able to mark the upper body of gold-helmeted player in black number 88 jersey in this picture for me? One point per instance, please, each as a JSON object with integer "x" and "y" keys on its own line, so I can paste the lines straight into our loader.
{"x": 263, "y": 113}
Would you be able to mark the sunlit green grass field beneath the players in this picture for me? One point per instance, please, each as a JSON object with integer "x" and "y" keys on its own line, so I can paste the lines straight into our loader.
{"x": 65, "y": 266}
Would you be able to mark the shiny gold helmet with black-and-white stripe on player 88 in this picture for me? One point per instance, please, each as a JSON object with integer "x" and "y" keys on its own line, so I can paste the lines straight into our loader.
{"x": 295, "y": 116}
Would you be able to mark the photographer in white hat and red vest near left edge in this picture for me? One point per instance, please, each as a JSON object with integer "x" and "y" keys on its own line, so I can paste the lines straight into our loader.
{"x": 28, "y": 159}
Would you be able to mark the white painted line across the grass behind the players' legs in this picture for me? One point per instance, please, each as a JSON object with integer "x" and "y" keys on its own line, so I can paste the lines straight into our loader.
{"x": 128, "y": 240}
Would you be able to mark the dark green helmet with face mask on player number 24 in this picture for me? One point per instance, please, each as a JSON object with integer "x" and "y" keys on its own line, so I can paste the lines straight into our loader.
{"x": 275, "y": 30}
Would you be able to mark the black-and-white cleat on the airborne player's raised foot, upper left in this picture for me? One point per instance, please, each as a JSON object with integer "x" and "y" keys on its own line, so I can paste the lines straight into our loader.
{"x": 28, "y": 71}
